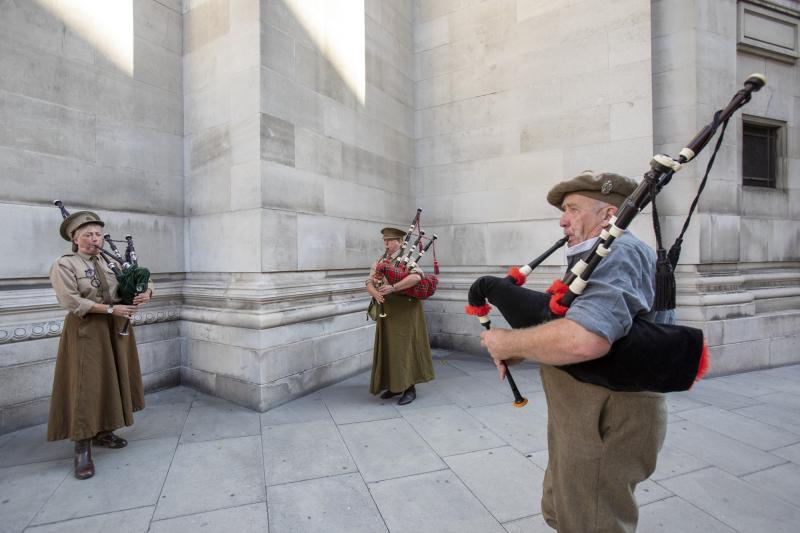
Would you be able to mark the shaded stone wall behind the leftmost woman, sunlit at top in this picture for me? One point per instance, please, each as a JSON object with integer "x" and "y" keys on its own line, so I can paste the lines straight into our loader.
{"x": 91, "y": 115}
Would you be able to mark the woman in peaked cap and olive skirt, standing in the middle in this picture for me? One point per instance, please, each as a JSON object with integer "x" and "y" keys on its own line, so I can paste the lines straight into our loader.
{"x": 402, "y": 353}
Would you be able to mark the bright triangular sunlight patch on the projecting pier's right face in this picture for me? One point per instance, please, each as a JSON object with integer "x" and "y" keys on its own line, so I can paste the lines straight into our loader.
{"x": 337, "y": 28}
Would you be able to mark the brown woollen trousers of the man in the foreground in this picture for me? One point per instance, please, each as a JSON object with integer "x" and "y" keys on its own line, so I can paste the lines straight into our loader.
{"x": 601, "y": 444}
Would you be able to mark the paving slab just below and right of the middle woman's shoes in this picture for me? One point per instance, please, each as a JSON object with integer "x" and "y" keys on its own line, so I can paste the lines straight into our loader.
{"x": 450, "y": 430}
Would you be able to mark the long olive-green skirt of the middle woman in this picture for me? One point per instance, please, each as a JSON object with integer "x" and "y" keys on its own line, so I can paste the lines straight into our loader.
{"x": 402, "y": 353}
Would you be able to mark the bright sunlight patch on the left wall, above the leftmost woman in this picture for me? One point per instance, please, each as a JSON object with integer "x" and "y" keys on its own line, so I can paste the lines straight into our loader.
{"x": 105, "y": 24}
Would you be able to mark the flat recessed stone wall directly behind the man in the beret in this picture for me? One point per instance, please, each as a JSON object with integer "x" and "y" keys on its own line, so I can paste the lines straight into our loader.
{"x": 512, "y": 97}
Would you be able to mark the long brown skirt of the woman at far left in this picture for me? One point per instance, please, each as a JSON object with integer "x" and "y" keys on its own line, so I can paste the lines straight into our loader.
{"x": 97, "y": 384}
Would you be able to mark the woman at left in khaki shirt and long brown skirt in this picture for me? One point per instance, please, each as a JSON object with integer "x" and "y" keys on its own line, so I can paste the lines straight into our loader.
{"x": 97, "y": 384}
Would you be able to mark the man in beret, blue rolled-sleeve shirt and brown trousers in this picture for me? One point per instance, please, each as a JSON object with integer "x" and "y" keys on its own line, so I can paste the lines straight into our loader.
{"x": 601, "y": 442}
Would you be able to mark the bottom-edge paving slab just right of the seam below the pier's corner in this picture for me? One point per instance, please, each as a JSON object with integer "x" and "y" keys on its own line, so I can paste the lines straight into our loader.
{"x": 337, "y": 504}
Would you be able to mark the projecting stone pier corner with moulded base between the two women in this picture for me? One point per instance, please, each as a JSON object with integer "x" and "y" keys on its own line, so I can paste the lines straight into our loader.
{"x": 299, "y": 141}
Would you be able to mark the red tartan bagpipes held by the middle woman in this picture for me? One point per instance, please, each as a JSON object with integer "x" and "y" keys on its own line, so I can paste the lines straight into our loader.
{"x": 408, "y": 257}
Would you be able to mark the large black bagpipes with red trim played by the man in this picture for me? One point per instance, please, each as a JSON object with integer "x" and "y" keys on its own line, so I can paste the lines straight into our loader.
{"x": 651, "y": 357}
